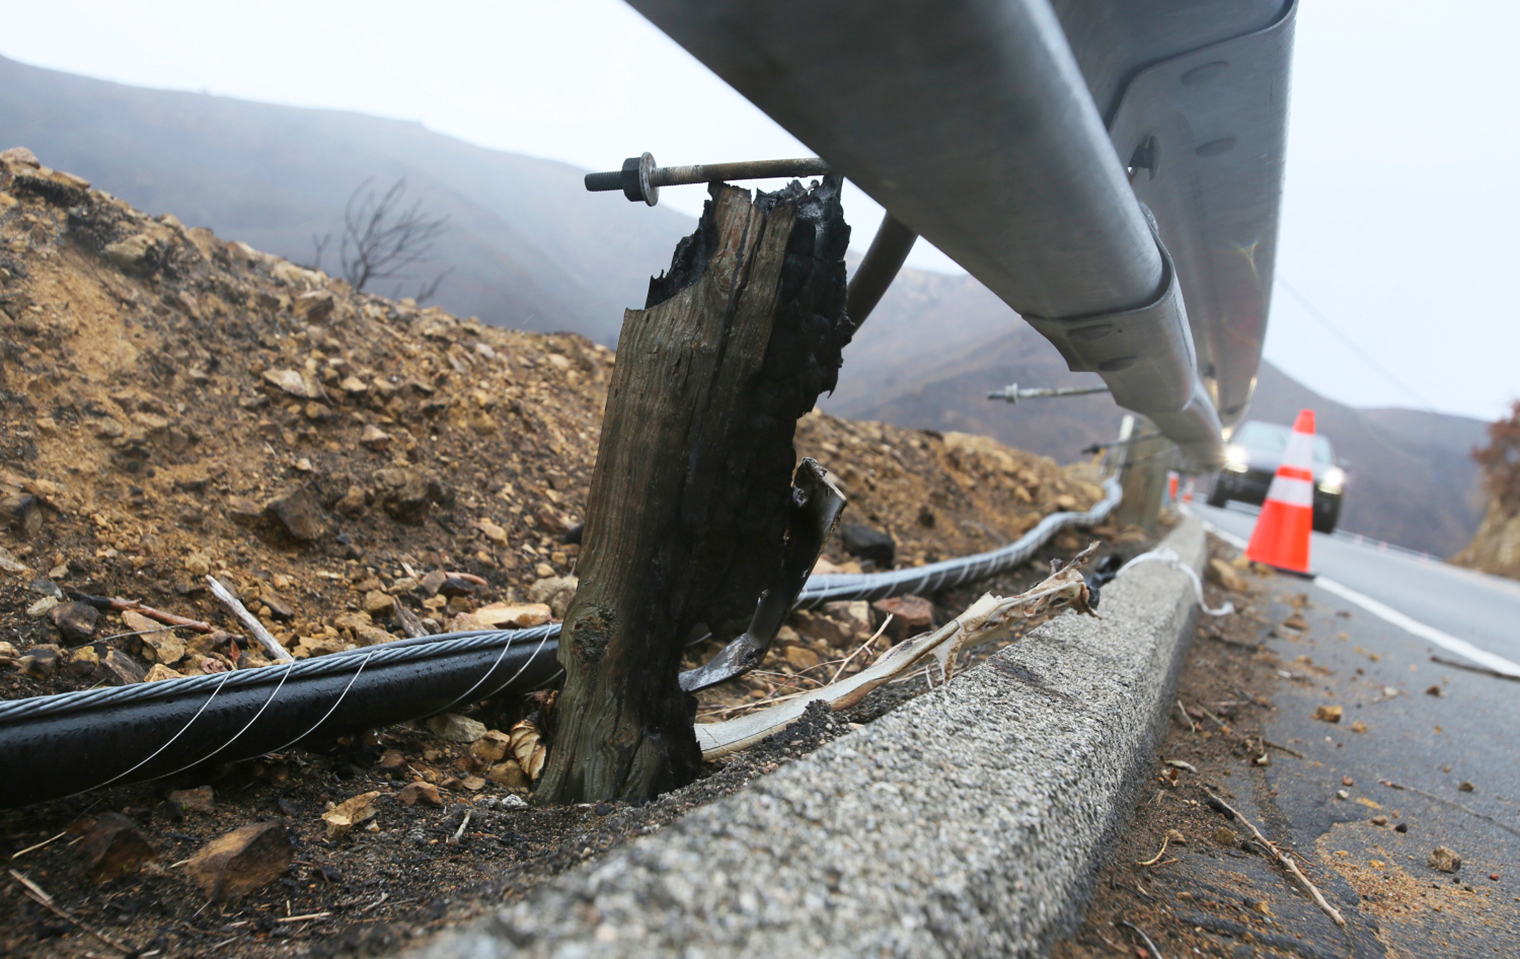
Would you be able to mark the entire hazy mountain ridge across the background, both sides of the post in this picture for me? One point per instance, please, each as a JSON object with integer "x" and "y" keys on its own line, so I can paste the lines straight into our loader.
{"x": 531, "y": 250}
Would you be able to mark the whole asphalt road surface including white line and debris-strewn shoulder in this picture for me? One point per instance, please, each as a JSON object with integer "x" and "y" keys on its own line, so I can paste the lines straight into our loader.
{"x": 1425, "y": 745}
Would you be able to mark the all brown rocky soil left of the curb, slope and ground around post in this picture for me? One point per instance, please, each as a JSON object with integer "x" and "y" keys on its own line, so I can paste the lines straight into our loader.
{"x": 177, "y": 407}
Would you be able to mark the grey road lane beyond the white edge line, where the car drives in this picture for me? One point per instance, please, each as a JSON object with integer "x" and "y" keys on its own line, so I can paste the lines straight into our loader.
{"x": 1481, "y": 610}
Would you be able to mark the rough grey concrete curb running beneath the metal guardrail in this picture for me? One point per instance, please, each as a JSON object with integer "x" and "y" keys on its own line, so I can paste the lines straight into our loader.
{"x": 967, "y": 823}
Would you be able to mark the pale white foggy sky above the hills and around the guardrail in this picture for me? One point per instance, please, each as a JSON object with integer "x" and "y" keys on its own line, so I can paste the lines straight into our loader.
{"x": 1399, "y": 218}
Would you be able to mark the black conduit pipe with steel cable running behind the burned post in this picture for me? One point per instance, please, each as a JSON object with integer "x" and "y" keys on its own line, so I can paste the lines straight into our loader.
{"x": 62, "y": 745}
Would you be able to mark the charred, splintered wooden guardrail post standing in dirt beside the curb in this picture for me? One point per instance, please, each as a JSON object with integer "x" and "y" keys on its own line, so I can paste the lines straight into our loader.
{"x": 691, "y": 496}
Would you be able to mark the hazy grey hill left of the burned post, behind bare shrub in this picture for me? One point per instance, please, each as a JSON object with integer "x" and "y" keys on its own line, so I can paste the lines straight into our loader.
{"x": 530, "y": 248}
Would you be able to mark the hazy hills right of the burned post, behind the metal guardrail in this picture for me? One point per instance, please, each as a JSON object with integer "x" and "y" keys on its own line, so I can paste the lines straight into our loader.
{"x": 1413, "y": 476}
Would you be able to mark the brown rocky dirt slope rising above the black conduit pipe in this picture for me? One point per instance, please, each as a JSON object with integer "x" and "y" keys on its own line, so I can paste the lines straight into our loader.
{"x": 177, "y": 405}
